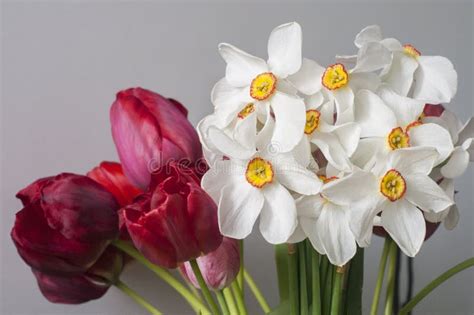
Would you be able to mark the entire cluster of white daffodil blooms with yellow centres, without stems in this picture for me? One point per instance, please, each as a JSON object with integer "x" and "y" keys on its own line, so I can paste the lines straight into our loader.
{"x": 329, "y": 152}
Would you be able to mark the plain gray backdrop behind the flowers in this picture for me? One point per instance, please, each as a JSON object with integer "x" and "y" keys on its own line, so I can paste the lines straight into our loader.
{"x": 62, "y": 64}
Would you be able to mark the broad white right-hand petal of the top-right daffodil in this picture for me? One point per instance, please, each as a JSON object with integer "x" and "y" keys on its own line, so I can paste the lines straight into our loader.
{"x": 435, "y": 80}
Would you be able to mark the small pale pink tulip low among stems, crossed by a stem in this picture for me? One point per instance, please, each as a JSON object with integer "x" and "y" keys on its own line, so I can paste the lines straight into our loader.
{"x": 219, "y": 268}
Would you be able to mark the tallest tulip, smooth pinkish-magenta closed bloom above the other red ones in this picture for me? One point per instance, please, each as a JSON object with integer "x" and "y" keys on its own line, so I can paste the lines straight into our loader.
{"x": 150, "y": 130}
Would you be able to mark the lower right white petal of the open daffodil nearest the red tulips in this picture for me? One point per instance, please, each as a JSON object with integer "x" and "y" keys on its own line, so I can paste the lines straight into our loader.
{"x": 278, "y": 218}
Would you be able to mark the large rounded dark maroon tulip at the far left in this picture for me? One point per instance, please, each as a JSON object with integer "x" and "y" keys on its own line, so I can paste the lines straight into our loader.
{"x": 66, "y": 223}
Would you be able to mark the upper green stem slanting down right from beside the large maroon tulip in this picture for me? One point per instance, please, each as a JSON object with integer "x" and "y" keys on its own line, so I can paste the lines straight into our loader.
{"x": 163, "y": 274}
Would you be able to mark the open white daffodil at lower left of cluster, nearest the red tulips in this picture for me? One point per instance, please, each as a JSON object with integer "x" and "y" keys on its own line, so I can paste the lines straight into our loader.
{"x": 252, "y": 183}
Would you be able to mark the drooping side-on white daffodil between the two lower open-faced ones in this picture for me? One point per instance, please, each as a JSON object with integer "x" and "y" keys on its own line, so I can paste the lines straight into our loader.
{"x": 325, "y": 218}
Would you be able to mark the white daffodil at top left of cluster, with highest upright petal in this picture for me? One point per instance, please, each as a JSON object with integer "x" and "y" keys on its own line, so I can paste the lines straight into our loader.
{"x": 253, "y": 85}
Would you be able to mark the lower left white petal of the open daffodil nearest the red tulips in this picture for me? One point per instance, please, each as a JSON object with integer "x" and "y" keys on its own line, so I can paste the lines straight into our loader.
{"x": 239, "y": 207}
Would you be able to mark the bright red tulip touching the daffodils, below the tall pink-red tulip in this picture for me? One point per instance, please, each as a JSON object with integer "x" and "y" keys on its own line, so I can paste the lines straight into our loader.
{"x": 175, "y": 221}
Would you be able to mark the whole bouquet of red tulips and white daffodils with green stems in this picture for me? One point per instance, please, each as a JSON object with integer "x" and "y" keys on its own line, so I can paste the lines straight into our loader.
{"x": 323, "y": 156}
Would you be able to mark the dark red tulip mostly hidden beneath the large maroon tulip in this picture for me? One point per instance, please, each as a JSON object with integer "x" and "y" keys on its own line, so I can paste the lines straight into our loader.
{"x": 80, "y": 288}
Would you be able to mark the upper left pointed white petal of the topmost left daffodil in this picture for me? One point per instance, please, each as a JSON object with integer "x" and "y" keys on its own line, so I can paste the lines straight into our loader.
{"x": 242, "y": 67}
